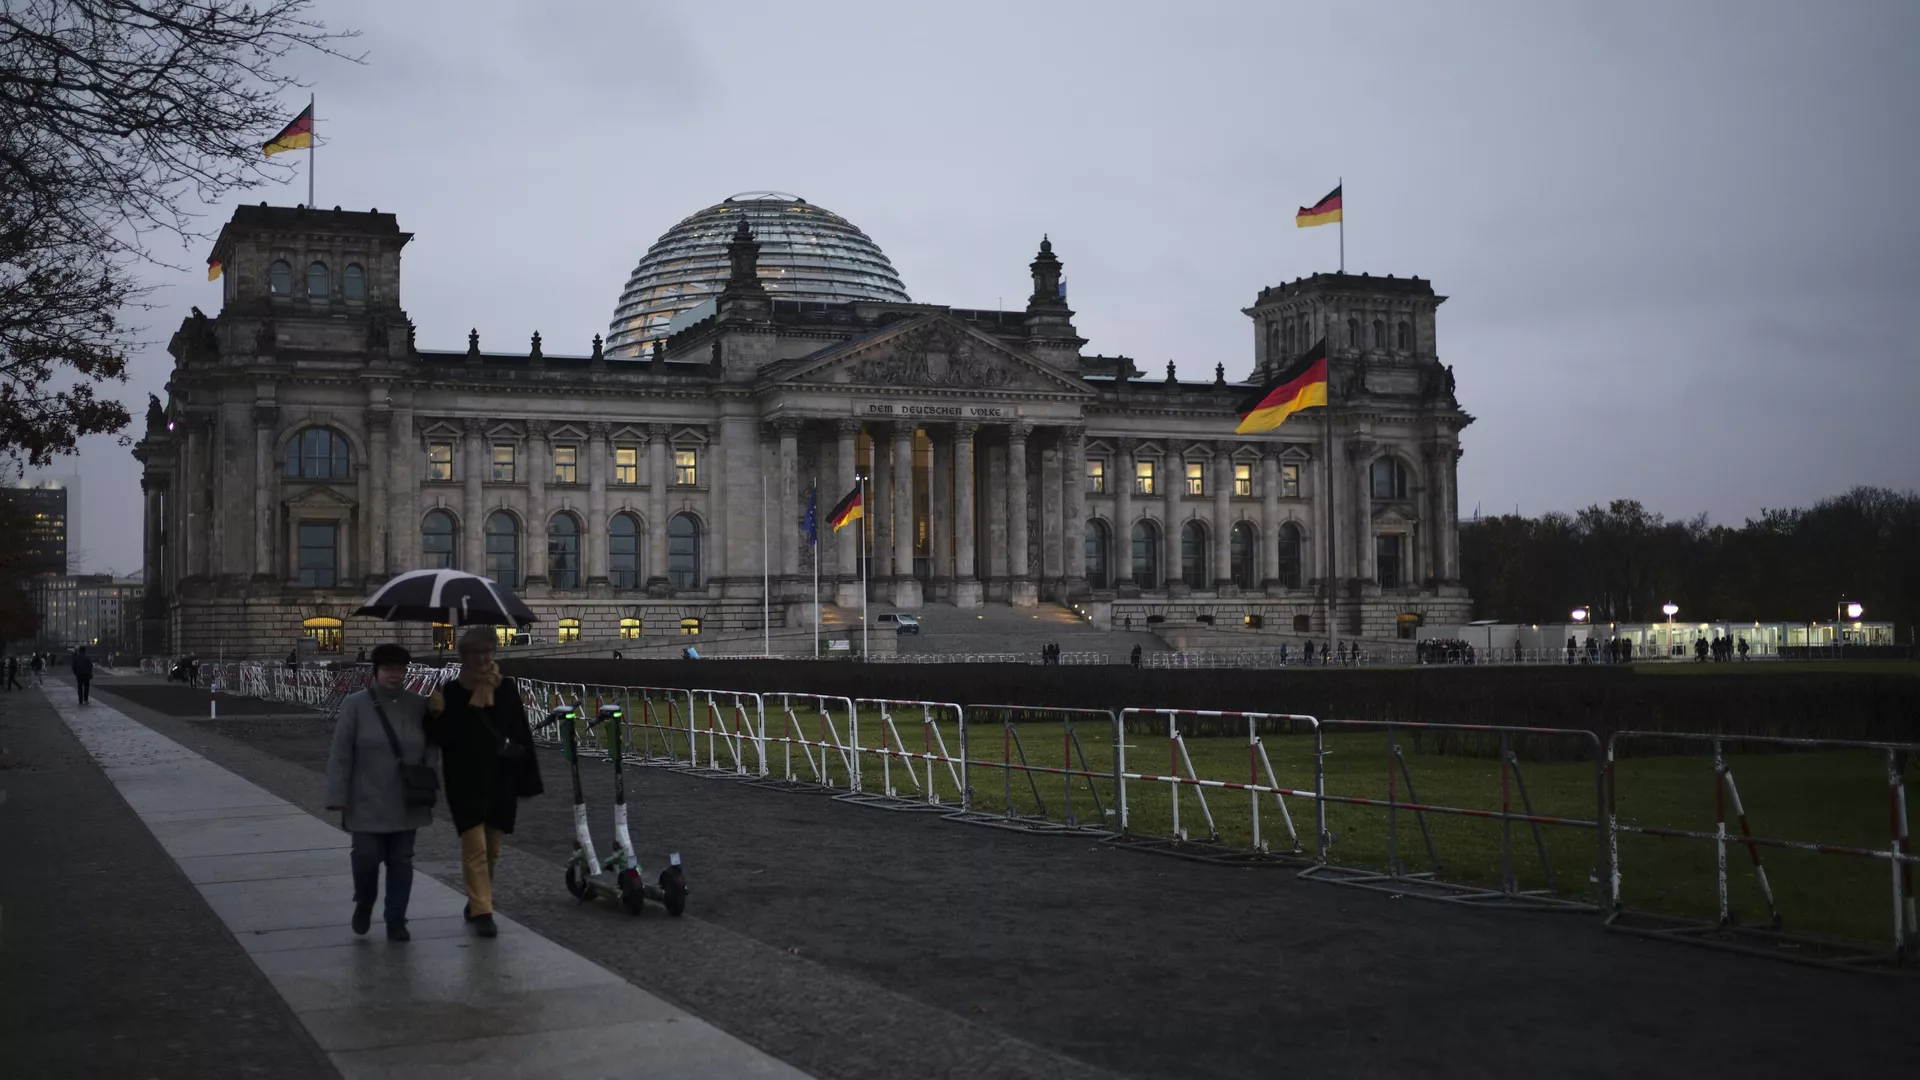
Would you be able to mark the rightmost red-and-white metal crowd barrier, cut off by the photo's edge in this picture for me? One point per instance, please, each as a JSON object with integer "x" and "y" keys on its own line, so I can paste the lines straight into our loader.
{"x": 1727, "y": 931}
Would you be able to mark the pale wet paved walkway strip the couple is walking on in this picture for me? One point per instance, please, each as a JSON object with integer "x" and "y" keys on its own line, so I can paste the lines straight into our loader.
{"x": 446, "y": 1004}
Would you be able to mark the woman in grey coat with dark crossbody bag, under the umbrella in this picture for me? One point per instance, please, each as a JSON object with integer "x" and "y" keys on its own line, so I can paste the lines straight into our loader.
{"x": 364, "y": 781}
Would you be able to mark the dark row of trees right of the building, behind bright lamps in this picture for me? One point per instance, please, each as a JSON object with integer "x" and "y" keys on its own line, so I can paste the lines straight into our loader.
{"x": 1627, "y": 562}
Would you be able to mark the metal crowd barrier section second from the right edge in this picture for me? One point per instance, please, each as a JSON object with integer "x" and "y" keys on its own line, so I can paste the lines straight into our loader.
{"x": 1431, "y": 883}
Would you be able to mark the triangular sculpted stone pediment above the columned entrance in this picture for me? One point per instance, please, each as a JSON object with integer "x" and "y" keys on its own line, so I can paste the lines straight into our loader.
{"x": 934, "y": 353}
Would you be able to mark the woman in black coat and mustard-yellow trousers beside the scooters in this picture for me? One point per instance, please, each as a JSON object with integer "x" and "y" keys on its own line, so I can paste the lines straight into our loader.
{"x": 487, "y": 758}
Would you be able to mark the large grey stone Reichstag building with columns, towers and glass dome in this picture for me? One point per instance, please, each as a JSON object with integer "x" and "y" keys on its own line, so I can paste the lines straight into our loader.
{"x": 308, "y": 449}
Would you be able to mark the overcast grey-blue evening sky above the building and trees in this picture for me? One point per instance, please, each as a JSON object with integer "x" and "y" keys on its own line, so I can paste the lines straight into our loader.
{"x": 1681, "y": 241}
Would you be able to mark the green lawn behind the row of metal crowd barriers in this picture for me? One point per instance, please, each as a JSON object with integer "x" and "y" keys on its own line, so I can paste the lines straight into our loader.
{"x": 1831, "y": 798}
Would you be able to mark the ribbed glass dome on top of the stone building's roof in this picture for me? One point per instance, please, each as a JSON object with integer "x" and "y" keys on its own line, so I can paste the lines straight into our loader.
{"x": 807, "y": 253}
